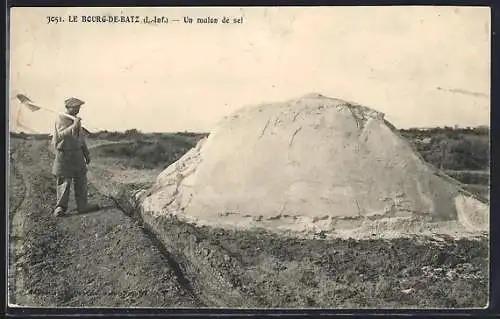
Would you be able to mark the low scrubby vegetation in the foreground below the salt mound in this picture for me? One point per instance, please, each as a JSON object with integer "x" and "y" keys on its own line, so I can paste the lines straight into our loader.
{"x": 368, "y": 273}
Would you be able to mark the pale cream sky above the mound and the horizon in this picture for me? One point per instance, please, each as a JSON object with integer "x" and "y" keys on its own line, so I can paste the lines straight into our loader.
{"x": 177, "y": 77}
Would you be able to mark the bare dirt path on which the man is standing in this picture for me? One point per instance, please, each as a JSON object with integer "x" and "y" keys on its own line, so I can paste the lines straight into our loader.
{"x": 97, "y": 259}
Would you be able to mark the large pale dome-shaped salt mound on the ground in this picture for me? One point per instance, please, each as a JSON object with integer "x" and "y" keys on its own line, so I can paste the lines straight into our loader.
{"x": 313, "y": 163}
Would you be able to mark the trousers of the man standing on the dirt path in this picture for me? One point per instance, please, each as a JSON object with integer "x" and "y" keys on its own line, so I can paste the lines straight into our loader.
{"x": 80, "y": 188}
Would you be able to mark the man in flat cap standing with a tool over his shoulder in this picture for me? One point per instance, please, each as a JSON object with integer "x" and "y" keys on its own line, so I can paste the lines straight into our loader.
{"x": 71, "y": 159}
